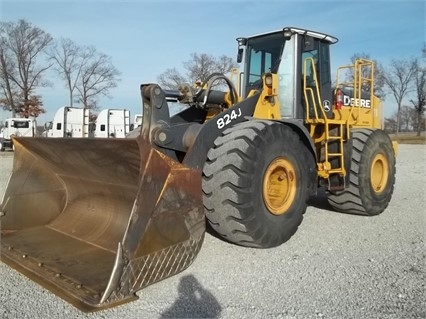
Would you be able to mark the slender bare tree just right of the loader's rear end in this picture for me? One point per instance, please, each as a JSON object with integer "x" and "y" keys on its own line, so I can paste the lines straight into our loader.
{"x": 398, "y": 78}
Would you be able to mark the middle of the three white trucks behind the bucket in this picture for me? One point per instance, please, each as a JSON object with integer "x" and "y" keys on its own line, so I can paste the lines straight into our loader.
{"x": 69, "y": 122}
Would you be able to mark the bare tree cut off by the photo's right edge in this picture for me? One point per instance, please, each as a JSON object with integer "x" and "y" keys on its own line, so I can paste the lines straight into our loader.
{"x": 419, "y": 103}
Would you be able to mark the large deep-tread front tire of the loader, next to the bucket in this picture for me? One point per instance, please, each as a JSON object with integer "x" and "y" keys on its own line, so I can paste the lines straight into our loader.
{"x": 234, "y": 189}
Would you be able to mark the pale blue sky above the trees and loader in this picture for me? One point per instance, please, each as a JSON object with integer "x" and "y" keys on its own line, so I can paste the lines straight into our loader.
{"x": 145, "y": 38}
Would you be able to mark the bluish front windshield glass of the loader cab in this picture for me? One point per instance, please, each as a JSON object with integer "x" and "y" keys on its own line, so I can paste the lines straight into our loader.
{"x": 263, "y": 56}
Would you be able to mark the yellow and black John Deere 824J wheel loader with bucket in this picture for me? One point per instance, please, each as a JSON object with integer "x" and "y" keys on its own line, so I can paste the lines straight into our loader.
{"x": 96, "y": 220}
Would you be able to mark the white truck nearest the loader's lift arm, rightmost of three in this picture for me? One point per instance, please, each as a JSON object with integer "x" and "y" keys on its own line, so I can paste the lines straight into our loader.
{"x": 112, "y": 123}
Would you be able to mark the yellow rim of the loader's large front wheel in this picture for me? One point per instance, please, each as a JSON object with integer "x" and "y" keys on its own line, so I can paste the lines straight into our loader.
{"x": 279, "y": 186}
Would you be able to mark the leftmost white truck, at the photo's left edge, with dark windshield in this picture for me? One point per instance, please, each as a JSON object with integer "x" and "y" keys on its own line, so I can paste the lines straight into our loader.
{"x": 16, "y": 127}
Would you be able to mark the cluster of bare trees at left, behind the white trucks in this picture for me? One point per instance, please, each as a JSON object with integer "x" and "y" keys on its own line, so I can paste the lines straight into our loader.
{"x": 27, "y": 52}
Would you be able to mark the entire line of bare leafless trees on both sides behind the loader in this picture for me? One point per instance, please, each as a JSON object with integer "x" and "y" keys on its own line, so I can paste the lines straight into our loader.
{"x": 88, "y": 74}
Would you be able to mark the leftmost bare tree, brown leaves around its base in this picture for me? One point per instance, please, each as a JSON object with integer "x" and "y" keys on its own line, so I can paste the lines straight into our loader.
{"x": 21, "y": 46}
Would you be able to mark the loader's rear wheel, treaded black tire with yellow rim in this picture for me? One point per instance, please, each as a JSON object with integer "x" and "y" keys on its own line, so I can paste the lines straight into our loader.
{"x": 372, "y": 175}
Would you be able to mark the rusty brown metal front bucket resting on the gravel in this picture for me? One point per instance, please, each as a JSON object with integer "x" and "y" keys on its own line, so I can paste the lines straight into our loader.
{"x": 94, "y": 221}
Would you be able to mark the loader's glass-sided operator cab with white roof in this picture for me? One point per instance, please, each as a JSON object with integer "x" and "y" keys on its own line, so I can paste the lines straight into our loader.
{"x": 300, "y": 58}
